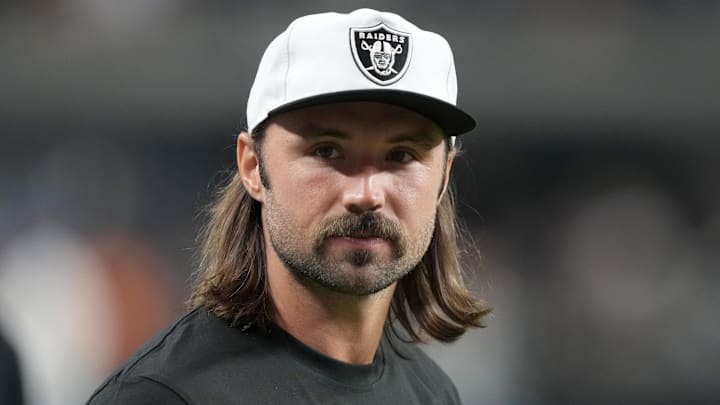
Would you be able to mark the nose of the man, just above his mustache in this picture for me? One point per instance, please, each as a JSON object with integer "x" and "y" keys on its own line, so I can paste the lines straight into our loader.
{"x": 364, "y": 192}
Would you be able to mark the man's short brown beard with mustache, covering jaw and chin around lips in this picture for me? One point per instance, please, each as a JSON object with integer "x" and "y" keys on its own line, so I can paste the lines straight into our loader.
{"x": 352, "y": 271}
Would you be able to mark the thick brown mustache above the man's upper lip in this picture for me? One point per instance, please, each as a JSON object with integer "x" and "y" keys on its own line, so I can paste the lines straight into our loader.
{"x": 365, "y": 225}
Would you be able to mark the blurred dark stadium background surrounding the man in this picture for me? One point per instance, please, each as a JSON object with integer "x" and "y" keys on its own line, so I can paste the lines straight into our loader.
{"x": 590, "y": 186}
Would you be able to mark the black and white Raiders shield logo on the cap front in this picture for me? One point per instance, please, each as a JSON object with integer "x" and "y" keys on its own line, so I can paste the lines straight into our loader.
{"x": 381, "y": 53}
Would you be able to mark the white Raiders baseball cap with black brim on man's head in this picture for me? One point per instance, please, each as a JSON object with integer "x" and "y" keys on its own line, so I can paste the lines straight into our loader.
{"x": 366, "y": 55}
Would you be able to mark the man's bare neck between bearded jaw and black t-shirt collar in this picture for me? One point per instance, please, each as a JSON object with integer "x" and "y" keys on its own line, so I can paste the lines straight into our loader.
{"x": 344, "y": 327}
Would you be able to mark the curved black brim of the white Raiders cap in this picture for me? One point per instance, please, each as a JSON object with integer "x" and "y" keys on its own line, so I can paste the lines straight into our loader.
{"x": 452, "y": 120}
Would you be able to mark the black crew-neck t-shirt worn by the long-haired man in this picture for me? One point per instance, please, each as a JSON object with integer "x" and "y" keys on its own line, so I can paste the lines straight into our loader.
{"x": 199, "y": 359}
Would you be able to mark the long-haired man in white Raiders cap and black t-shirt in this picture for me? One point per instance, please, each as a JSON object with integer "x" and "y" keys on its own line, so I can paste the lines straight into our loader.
{"x": 337, "y": 230}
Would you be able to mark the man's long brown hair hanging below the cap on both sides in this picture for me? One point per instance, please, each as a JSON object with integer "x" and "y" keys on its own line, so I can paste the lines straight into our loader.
{"x": 232, "y": 283}
